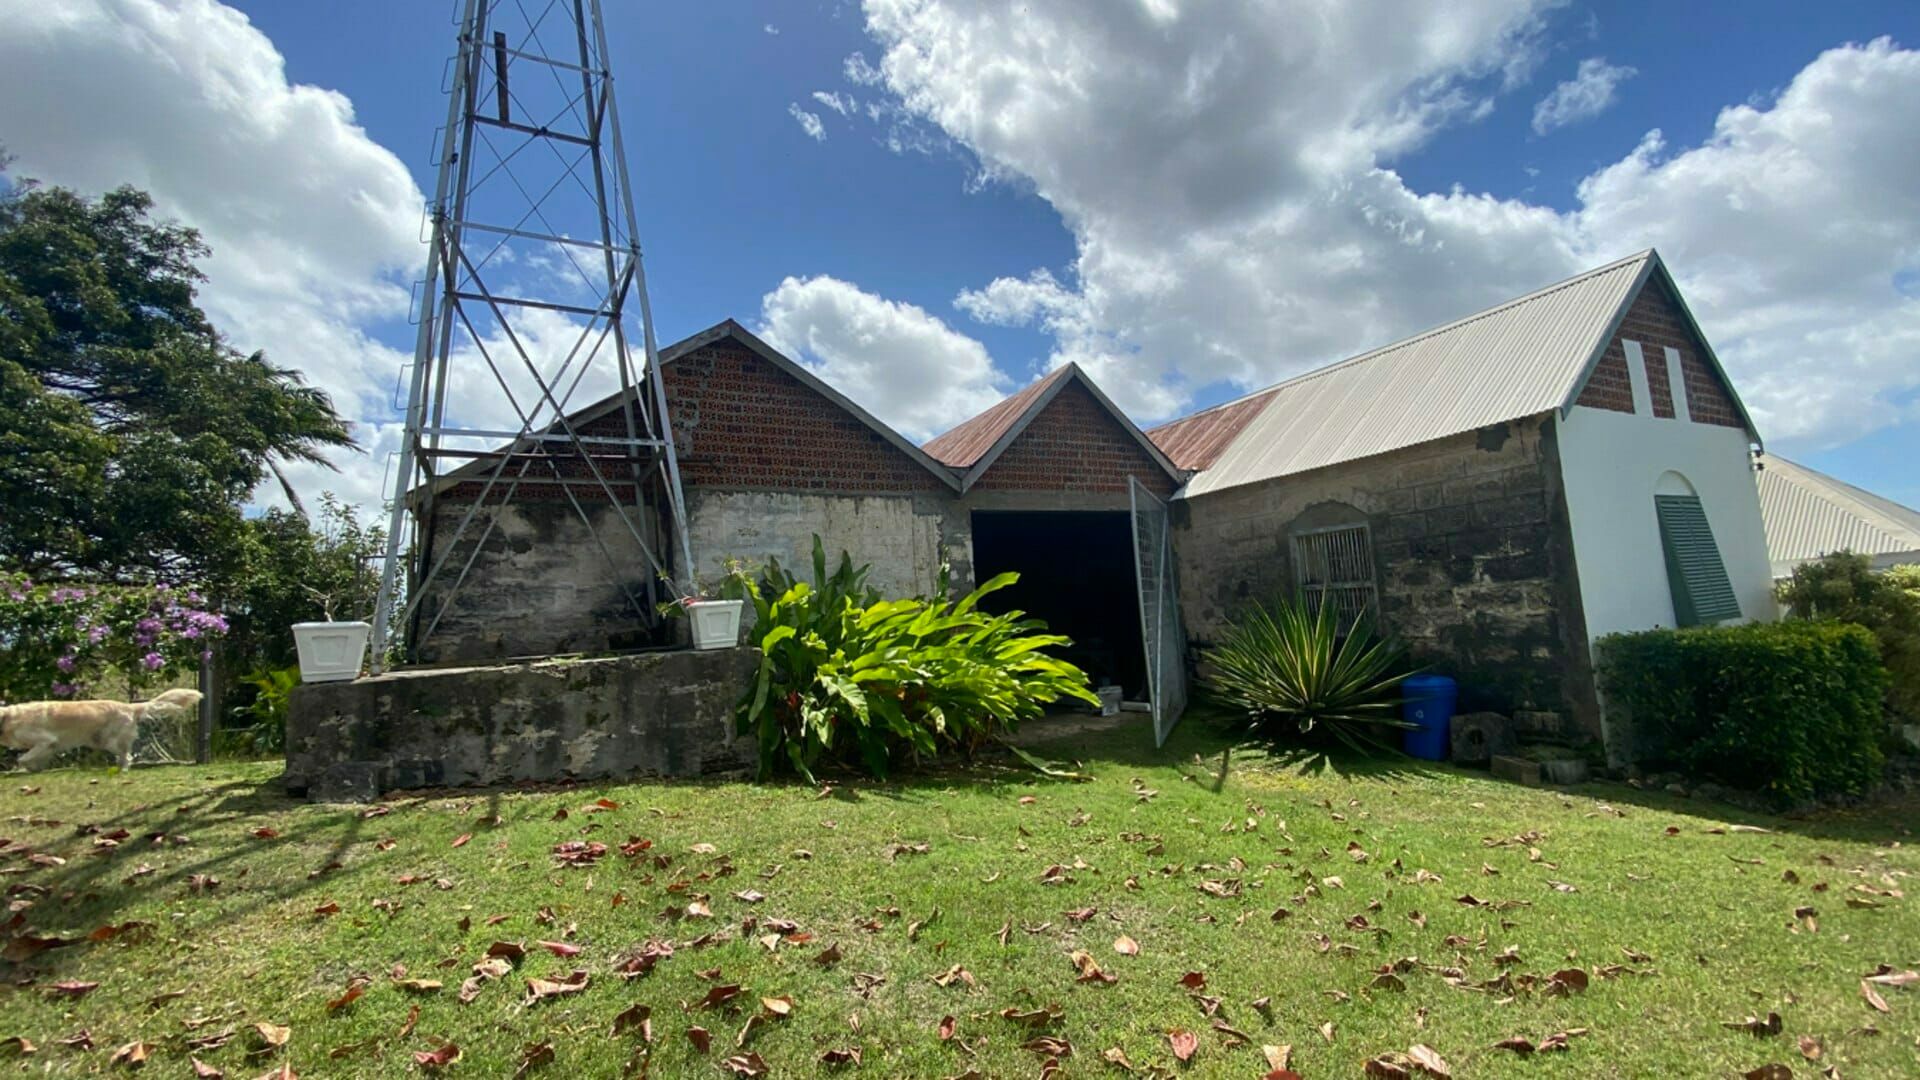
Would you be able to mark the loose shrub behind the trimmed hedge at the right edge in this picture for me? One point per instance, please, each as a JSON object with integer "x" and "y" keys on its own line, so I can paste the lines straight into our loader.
{"x": 1846, "y": 587}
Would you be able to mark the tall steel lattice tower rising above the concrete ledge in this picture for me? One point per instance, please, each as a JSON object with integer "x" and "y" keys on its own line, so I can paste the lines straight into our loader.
{"x": 533, "y": 291}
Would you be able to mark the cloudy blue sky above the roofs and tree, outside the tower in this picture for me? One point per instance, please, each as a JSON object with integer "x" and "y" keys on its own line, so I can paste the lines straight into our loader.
{"x": 1191, "y": 201}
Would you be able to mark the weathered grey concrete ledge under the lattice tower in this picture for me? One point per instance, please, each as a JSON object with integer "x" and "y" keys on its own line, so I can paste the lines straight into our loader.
{"x": 663, "y": 714}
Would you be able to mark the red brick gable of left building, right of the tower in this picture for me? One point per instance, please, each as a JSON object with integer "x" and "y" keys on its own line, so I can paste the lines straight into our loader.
{"x": 744, "y": 424}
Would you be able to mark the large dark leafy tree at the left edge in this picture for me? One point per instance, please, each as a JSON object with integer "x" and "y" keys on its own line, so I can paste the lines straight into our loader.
{"x": 132, "y": 431}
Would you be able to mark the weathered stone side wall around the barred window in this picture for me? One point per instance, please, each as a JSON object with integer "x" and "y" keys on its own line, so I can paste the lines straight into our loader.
{"x": 1474, "y": 560}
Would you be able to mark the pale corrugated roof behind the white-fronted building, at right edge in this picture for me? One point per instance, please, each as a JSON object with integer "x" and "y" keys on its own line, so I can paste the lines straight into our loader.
{"x": 1810, "y": 514}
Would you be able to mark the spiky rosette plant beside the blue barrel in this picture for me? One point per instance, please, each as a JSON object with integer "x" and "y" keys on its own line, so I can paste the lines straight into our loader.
{"x": 1293, "y": 666}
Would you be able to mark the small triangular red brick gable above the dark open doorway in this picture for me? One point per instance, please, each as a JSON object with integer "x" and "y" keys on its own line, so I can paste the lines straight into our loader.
{"x": 1074, "y": 447}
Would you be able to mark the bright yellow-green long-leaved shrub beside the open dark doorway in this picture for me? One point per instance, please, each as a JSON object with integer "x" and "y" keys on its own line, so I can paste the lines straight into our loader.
{"x": 852, "y": 677}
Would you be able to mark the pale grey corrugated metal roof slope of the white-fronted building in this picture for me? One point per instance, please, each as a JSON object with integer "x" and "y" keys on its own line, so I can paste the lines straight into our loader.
{"x": 1510, "y": 362}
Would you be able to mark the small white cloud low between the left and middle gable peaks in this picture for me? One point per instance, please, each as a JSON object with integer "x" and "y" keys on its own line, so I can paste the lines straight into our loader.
{"x": 901, "y": 364}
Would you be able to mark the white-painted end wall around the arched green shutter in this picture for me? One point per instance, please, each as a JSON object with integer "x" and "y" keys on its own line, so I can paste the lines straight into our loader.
{"x": 1612, "y": 464}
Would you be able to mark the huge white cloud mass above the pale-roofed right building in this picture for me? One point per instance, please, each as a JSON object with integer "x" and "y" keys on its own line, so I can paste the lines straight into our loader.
{"x": 1232, "y": 191}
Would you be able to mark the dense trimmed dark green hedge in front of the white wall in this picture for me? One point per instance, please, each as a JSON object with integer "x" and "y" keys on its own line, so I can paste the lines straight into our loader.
{"x": 1792, "y": 708}
